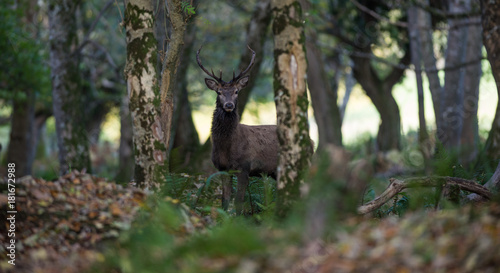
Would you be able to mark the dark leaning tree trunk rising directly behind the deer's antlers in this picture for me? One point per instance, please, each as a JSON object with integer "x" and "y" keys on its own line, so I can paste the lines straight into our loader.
{"x": 256, "y": 34}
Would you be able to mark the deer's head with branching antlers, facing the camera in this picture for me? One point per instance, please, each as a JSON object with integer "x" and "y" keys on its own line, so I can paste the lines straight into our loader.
{"x": 227, "y": 92}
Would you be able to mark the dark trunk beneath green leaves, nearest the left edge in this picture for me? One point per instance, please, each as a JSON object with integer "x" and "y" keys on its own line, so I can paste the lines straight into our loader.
{"x": 22, "y": 133}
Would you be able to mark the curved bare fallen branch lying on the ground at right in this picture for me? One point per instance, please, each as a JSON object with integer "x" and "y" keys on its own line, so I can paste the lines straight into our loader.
{"x": 397, "y": 186}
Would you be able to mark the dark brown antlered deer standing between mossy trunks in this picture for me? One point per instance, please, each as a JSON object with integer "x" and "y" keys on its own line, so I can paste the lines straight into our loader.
{"x": 248, "y": 150}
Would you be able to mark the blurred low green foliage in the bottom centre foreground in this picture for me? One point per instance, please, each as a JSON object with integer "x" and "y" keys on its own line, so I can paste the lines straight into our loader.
{"x": 157, "y": 241}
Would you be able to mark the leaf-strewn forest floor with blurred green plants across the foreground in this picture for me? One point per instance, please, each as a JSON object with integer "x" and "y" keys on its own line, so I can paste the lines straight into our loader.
{"x": 81, "y": 223}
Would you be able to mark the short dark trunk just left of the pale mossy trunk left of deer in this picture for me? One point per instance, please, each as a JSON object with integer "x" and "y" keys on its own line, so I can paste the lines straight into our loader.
{"x": 125, "y": 151}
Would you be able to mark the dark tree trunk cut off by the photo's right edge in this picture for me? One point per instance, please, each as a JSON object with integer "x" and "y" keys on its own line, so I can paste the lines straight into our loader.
{"x": 491, "y": 36}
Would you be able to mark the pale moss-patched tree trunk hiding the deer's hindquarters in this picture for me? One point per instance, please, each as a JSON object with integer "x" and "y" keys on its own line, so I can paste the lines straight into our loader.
{"x": 291, "y": 101}
